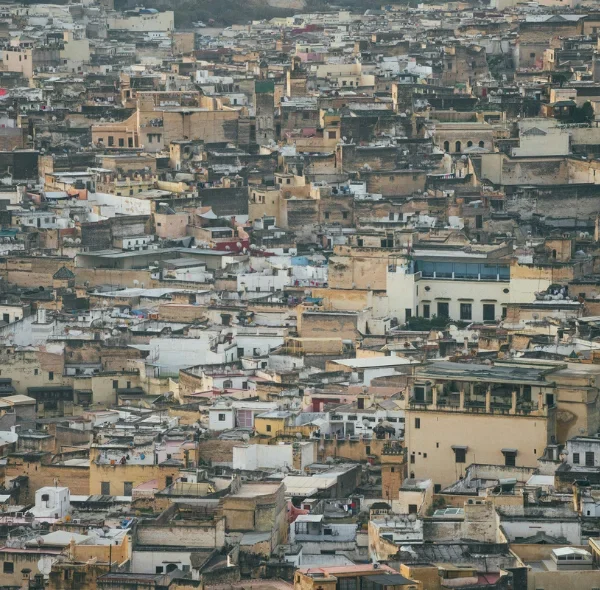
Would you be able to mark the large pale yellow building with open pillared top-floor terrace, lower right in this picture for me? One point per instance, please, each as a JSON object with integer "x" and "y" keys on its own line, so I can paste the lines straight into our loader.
{"x": 460, "y": 413}
